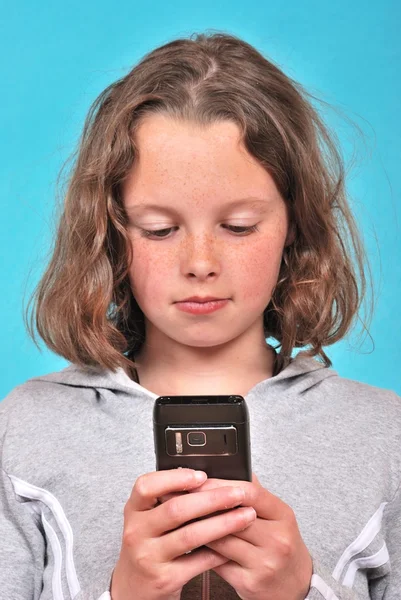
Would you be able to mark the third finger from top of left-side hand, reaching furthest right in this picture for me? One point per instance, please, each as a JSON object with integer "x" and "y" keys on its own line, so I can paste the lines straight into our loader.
{"x": 187, "y": 538}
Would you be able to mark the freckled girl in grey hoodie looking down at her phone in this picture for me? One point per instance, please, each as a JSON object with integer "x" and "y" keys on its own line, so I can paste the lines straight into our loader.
{"x": 206, "y": 213}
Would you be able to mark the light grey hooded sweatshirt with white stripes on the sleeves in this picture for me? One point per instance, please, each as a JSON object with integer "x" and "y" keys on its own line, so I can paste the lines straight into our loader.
{"x": 72, "y": 444}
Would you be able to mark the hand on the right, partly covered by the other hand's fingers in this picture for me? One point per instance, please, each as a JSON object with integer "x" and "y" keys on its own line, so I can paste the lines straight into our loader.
{"x": 269, "y": 559}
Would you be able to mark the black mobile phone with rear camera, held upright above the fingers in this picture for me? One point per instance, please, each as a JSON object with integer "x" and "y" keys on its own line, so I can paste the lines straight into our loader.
{"x": 207, "y": 433}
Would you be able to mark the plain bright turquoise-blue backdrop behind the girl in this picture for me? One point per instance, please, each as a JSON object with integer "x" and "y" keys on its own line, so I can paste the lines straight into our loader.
{"x": 57, "y": 57}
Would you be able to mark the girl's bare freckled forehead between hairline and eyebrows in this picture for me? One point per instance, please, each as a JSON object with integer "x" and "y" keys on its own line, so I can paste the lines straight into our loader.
{"x": 176, "y": 157}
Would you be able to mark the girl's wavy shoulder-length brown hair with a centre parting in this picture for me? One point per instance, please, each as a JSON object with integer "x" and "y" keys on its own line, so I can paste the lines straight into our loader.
{"x": 84, "y": 307}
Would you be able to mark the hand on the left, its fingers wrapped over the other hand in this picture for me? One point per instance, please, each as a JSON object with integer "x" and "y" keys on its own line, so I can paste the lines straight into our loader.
{"x": 152, "y": 564}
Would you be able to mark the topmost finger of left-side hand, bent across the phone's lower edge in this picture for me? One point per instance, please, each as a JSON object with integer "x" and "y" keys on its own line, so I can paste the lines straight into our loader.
{"x": 149, "y": 487}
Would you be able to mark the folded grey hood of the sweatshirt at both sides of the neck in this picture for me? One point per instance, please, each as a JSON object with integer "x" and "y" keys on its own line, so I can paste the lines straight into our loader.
{"x": 300, "y": 375}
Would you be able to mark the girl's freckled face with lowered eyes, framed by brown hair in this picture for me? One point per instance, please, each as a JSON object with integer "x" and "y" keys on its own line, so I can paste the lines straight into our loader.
{"x": 205, "y": 219}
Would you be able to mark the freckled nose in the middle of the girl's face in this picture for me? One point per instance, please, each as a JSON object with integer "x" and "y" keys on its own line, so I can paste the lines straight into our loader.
{"x": 200, "y": 257}
